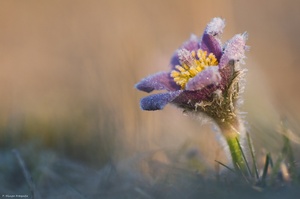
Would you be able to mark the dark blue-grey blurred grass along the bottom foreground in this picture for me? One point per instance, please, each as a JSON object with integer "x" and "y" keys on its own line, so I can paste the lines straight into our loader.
{"x": 144, "y": 176}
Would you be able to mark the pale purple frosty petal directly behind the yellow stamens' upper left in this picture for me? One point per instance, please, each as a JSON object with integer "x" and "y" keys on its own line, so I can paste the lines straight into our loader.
{"x": 190, "y": 45}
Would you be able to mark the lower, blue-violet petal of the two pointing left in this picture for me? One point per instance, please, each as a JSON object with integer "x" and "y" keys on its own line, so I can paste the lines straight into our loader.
{"x": 158, "y": 101}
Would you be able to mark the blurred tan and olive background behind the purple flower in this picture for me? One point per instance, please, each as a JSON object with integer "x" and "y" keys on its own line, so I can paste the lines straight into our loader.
{"x": 68, "y": 69}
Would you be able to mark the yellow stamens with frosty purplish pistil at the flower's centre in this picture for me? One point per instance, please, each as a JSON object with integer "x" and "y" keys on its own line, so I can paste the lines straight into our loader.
{"x": 192, "y": 63}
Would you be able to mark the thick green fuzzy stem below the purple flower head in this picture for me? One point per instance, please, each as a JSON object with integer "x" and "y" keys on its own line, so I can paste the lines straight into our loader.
{"x": 231, "y": 132}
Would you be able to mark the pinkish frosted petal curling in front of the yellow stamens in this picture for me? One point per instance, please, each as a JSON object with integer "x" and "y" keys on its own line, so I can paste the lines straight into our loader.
{"x": 207, "y": 77}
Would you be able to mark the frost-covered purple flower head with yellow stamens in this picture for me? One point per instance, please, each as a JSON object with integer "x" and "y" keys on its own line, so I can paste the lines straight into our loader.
{"x": 201, "y": 71}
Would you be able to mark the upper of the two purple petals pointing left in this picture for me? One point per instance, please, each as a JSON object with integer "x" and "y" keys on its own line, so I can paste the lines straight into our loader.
{"x": 158, "y": 81}
